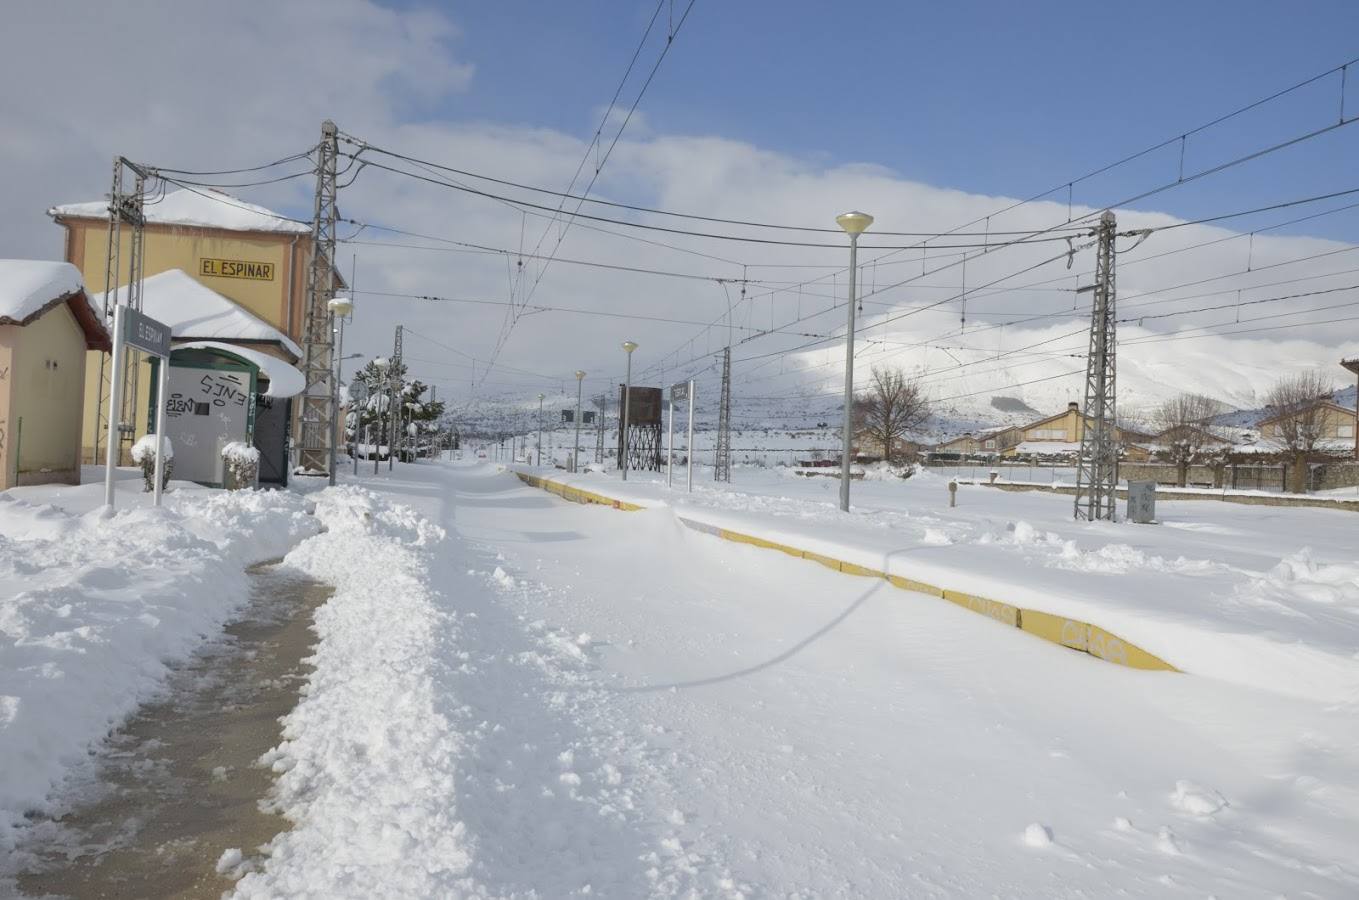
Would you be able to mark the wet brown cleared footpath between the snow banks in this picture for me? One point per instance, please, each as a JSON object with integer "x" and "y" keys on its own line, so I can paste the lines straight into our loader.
{"x": 179, "y": 784}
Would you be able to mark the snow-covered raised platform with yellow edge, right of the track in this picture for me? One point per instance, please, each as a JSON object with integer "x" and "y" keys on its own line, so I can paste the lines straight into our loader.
{"x": 1214, "y": 589}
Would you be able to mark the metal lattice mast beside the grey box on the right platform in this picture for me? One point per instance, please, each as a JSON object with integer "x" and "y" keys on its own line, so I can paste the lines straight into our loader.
{"x": 1097, "y": 477}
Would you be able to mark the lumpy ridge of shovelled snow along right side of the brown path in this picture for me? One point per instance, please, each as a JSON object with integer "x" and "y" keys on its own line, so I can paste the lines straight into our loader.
{"x": 369, "y": 762}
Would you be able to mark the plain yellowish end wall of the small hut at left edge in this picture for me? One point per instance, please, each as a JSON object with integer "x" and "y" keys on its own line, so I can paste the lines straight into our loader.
{"x": 47, "y": 362}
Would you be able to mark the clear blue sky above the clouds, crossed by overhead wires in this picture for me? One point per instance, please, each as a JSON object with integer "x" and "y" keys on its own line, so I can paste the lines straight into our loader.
{"x": 1002, "y": 99}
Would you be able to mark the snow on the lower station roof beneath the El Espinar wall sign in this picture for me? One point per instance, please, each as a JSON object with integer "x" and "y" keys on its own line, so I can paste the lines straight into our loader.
{"x": 196, "y": 312}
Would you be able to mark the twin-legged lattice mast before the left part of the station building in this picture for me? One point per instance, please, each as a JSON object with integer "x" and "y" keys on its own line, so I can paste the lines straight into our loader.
{"x": 124, "y": 209}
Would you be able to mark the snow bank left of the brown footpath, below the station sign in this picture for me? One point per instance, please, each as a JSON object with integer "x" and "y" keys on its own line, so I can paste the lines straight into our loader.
{"x": 93, "y": 610}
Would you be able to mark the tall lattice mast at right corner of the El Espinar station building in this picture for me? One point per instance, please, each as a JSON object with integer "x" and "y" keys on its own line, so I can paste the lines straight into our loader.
{"x": 319, "y": 409}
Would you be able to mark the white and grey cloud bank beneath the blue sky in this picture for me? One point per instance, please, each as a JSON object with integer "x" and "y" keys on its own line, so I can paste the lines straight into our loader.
{"x": 224, "y": 85}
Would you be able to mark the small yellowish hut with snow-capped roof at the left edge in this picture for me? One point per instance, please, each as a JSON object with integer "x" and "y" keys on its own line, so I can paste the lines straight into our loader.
{"x": 47, "y": 327}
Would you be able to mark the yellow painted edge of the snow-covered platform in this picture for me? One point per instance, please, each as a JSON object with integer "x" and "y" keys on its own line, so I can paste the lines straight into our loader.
{"x": 1059, "y": 630}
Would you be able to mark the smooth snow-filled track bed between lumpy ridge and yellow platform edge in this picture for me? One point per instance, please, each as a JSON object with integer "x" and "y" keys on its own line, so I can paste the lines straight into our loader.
{"x": 658, "y": 712}
